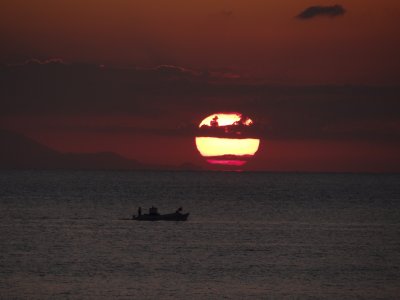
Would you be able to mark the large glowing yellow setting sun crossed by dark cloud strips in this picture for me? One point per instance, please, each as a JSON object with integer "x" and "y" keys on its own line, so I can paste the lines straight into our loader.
{"x": 227, "y": 139}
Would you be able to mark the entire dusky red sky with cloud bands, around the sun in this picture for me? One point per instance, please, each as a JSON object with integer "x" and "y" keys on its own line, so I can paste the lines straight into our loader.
{"x": 135, "y": 77}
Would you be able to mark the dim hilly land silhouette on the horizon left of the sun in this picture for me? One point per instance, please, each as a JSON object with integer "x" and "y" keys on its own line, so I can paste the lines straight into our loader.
{"x": 20, "y": 152}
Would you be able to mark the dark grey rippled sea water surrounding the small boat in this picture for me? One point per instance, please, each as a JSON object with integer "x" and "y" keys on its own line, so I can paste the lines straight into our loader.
{"x": 249, "y": 236}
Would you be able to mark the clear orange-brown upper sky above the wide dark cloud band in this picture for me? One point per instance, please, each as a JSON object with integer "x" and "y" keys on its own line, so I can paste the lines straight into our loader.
{"x": 258, "y": 38}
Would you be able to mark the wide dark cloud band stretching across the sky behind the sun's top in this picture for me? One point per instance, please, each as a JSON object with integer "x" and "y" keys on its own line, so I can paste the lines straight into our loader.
{"x": 181, "y": 97}
